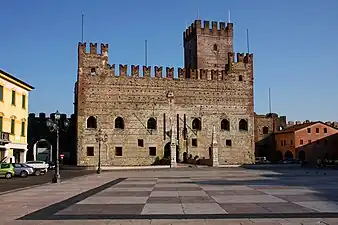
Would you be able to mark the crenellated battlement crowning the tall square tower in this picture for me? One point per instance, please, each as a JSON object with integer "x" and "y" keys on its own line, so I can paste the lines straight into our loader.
{"x": 216, "y": 29}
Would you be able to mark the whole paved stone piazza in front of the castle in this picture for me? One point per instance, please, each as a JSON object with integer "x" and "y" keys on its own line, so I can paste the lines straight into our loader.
{"x": 181, "y": 196}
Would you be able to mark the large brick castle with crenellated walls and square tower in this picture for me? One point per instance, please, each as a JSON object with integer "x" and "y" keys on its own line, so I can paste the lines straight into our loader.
{"x": 208, "y": 102}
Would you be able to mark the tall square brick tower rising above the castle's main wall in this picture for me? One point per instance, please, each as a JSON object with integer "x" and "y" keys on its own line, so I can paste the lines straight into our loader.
{"x": 207, "y": 47}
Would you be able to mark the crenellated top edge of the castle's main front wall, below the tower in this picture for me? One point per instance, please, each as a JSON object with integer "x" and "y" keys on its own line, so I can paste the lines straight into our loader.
{"x": 242, "y": 63}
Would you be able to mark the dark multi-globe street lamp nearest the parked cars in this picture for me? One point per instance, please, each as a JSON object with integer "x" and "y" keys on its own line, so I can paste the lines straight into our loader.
{"x": 56, "y": 125}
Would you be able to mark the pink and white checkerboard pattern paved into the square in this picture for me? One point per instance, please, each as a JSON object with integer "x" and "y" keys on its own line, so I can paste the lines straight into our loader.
{"x": 209, "y": 196}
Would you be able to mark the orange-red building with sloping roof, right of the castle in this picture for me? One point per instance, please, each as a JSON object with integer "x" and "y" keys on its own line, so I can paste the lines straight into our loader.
{"x": 307, "y": 141}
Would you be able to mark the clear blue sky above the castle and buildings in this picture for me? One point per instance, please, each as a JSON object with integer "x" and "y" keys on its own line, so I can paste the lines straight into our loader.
{"x": 294, "y": 45}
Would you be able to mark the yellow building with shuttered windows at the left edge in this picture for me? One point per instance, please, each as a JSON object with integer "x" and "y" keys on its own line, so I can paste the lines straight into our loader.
{"x": 13, "y": 117}
